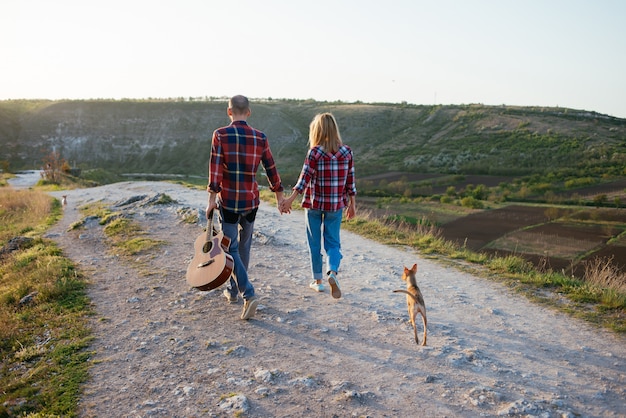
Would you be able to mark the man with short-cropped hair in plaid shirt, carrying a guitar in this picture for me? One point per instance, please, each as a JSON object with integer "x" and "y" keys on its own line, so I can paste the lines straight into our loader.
{"x": 237, "y": 150}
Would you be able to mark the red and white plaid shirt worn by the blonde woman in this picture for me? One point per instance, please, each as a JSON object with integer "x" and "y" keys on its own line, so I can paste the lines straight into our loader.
{"x": 327, "y": 179}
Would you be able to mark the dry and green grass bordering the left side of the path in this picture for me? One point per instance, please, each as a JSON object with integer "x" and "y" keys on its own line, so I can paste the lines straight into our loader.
{"x": 44, "y": 311}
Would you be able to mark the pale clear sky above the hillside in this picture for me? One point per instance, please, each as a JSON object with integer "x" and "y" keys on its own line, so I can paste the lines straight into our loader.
{"x": 569, "y": 53}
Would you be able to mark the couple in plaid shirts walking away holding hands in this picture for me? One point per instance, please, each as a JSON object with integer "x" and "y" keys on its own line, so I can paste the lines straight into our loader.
{"x": 326, "y": 183}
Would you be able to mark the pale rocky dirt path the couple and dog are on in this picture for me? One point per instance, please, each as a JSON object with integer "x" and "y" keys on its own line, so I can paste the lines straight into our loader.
{"x": 165, "y": 349}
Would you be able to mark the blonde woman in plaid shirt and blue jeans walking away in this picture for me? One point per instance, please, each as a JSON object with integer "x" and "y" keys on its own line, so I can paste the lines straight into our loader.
{"x": 328, "y": 183}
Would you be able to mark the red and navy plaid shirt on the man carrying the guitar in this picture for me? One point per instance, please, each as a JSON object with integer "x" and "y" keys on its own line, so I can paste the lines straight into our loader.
{"x": 237, "y": 150}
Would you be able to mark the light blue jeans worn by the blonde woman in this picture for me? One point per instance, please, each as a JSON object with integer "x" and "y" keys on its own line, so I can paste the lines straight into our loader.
{"x": 327, "y": 225}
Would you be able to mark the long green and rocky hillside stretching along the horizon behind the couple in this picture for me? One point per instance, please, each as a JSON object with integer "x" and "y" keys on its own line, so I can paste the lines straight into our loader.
{"x": 173, "y": 136}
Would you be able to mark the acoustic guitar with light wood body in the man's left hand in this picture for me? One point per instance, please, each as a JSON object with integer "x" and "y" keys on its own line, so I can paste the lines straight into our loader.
{"x": 211, "y": 266}
